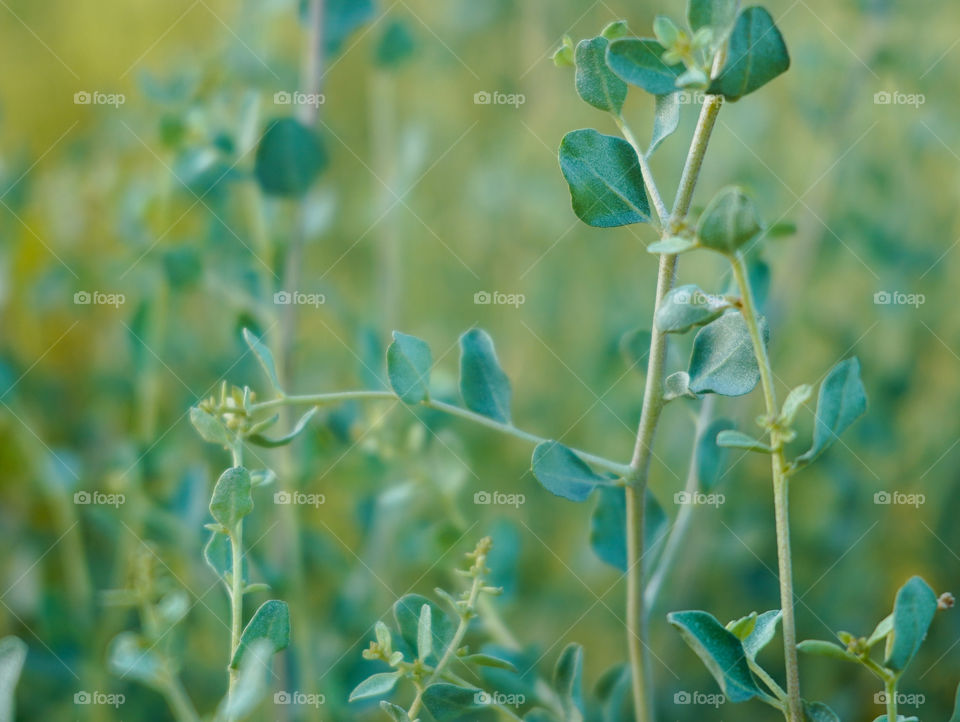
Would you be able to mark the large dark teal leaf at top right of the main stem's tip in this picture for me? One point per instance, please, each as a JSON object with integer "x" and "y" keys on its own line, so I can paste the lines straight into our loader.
{"x": 756, "y": 55}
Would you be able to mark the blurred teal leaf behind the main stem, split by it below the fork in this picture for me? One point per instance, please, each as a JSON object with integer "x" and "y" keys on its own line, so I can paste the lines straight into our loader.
{"x": 608, "y": 525}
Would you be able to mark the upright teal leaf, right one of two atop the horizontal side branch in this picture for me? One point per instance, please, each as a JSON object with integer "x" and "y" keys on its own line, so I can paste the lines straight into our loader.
{"x": 483, "y": 384}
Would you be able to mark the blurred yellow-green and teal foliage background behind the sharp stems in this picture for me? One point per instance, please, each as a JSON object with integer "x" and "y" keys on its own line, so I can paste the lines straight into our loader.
{"x": 427, "y": 199}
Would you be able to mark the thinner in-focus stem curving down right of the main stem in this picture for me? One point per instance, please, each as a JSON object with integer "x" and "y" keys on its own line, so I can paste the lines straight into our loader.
{"x": 780, "y": 491}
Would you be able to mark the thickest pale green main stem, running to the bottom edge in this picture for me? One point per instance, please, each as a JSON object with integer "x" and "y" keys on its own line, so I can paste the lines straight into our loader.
{"x": 649, "y": 418}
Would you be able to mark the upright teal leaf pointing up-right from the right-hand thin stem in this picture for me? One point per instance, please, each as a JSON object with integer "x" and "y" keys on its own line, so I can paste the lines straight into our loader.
{"x": 842, "y": 401}
